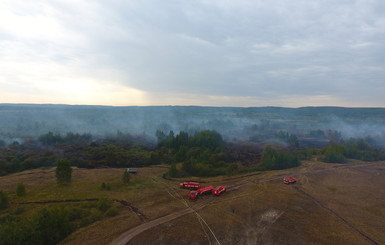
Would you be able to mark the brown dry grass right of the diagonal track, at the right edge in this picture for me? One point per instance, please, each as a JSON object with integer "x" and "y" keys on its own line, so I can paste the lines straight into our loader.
{"x": 356, "y": 194}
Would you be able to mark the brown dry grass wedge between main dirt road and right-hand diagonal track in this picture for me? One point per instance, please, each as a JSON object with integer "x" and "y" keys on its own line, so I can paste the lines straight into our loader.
{"x": 255, "y": 215}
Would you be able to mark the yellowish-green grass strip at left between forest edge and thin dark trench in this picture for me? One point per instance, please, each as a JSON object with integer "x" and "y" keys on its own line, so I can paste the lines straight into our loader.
{"x": 41, "y": 184}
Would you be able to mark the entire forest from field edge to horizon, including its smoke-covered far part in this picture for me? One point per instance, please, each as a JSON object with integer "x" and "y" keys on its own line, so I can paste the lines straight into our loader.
{"x": 194, "y": 141}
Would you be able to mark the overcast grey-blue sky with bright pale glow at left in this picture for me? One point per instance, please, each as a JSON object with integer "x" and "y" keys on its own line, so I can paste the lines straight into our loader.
{"x": 202, "y": 52}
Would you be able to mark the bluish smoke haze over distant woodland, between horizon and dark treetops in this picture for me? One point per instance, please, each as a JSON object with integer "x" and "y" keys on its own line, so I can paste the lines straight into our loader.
{"x": 18, "y": 122}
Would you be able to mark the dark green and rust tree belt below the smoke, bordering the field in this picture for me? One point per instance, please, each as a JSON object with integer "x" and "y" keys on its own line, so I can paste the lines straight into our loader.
{"x": 204, "y": 153}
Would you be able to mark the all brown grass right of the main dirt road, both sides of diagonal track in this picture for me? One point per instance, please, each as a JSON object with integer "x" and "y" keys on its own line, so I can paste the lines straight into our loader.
{"x": 273, "y": 213}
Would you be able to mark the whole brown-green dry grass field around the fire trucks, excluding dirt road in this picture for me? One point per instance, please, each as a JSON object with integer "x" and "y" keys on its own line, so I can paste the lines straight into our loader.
{"x": 261, "y": 211}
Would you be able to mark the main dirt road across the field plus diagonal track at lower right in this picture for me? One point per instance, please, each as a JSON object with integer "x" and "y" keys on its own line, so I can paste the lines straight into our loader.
{"x": 128, "y": 235}
